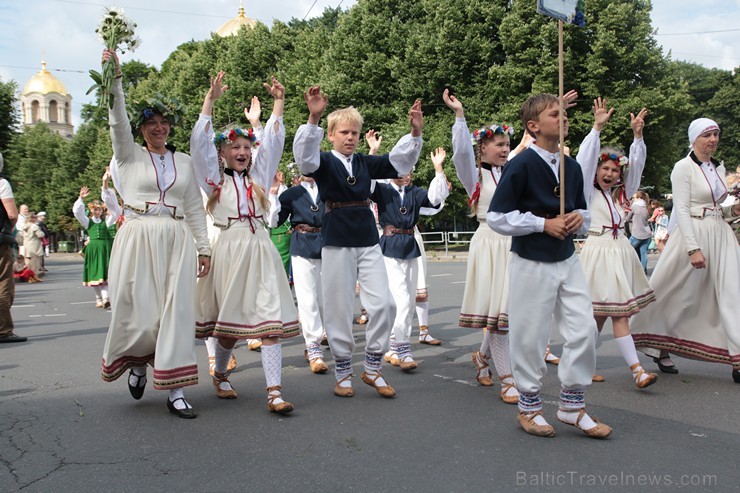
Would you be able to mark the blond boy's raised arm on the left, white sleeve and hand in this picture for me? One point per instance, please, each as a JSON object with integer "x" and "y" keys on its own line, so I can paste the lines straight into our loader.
{"x": 307, "y": 141}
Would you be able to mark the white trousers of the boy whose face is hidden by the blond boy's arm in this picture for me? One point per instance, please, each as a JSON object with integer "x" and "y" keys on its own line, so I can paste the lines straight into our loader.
{"x": 402, "y": 278}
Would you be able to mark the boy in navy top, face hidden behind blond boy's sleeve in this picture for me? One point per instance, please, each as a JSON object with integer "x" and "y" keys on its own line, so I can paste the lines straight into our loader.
{"x": 399, "y": 207}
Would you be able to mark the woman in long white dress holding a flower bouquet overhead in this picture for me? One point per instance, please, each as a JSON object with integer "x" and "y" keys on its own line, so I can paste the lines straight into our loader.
{"x": 154, "y": 260}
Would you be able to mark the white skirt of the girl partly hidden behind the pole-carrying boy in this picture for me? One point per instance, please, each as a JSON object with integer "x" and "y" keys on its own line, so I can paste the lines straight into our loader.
{"x": 487, "y": 281}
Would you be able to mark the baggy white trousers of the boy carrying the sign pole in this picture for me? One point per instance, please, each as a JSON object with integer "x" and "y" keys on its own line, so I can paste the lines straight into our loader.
{"x": 537, "y": 291}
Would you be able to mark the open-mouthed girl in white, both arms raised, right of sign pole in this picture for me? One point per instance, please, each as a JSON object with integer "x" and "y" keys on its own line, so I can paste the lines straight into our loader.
{"x": 618, "y": 285}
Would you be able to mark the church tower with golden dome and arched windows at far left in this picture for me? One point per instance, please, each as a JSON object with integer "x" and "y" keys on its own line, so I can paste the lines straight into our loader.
{"x": 44, "y": 99}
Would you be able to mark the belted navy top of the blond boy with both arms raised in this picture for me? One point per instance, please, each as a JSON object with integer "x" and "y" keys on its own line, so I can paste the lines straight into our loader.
{"x": 350, "y": 226}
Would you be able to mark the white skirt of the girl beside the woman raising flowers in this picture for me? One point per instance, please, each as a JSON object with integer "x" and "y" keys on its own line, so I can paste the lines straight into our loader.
{"x": 246, "y": 294}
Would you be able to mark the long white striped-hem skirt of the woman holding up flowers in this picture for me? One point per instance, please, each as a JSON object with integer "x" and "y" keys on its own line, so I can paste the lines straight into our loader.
{"x": 152, "y": 275}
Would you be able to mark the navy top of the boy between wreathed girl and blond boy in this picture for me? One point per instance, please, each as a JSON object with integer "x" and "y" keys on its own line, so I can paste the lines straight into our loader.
{"x": 296, "y": 202}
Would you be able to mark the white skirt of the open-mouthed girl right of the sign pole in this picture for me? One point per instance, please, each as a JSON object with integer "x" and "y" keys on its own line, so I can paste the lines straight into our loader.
{"x": 618, "y": 285}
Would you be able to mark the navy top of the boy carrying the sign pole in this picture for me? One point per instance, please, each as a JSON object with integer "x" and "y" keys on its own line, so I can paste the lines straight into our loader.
{"x": 528, "y": 185}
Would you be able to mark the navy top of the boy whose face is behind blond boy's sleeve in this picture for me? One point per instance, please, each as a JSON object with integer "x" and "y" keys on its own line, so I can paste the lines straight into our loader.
{"x": 401, "y": 246}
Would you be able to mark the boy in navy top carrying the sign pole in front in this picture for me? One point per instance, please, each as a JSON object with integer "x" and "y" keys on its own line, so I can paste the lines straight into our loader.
{"x": 545, "y": 275}
